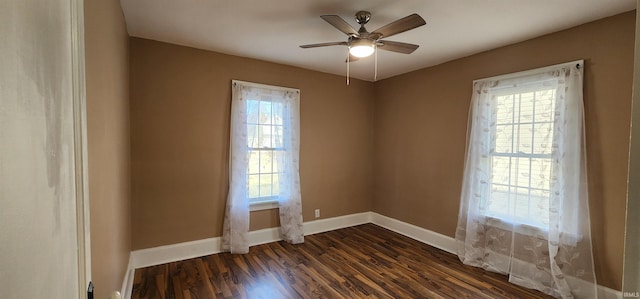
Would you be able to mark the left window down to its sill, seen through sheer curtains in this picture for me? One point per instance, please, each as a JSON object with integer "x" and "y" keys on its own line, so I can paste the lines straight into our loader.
{"x": 264, "y": 143}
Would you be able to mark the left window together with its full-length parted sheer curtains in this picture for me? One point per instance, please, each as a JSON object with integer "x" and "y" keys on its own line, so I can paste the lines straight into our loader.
{"x": 263, "y": 161}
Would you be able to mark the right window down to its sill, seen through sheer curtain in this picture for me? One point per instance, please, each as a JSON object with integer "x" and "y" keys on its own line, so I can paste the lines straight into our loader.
{"x": 525, "y": 161}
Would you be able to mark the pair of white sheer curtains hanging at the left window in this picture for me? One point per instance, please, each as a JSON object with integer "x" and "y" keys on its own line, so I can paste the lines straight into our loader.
{"x": 286, "y": 142}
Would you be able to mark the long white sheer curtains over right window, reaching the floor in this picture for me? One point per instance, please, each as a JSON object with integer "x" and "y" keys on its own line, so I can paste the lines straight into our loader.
{"x": 524, "y": 205}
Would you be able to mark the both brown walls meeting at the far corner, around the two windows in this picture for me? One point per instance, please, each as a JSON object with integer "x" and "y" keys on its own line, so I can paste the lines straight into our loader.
{"x": 395, "y": 147}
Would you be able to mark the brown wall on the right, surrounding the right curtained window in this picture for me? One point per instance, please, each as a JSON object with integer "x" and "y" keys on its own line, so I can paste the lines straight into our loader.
{"x": 421, "y": 122}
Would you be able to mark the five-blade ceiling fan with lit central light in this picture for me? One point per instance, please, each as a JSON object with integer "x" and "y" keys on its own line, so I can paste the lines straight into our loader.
{"x": 362, "y": 43}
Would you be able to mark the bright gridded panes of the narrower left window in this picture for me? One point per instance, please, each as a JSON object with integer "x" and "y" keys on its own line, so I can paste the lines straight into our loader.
{"x": 265, "y": 144}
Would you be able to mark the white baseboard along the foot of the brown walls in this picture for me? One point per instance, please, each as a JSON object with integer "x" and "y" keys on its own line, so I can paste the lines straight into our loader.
{"x": 187, "y": 250}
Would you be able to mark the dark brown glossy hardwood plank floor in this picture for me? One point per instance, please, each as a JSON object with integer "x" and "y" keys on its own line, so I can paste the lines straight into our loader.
{"x": 355, "y": 262}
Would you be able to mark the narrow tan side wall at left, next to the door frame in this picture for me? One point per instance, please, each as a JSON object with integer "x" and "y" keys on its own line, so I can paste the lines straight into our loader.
{"x": 107, "y": 79}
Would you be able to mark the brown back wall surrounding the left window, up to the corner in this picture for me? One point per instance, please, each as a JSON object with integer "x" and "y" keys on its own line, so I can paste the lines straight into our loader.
{"x": 180, "y": 105}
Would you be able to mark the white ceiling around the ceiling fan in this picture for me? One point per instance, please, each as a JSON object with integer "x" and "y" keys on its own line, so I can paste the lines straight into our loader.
{"x": 273, "y": 30}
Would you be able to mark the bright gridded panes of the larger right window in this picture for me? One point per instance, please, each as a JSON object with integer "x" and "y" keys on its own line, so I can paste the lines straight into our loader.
{"x": 521, "y": 161}
